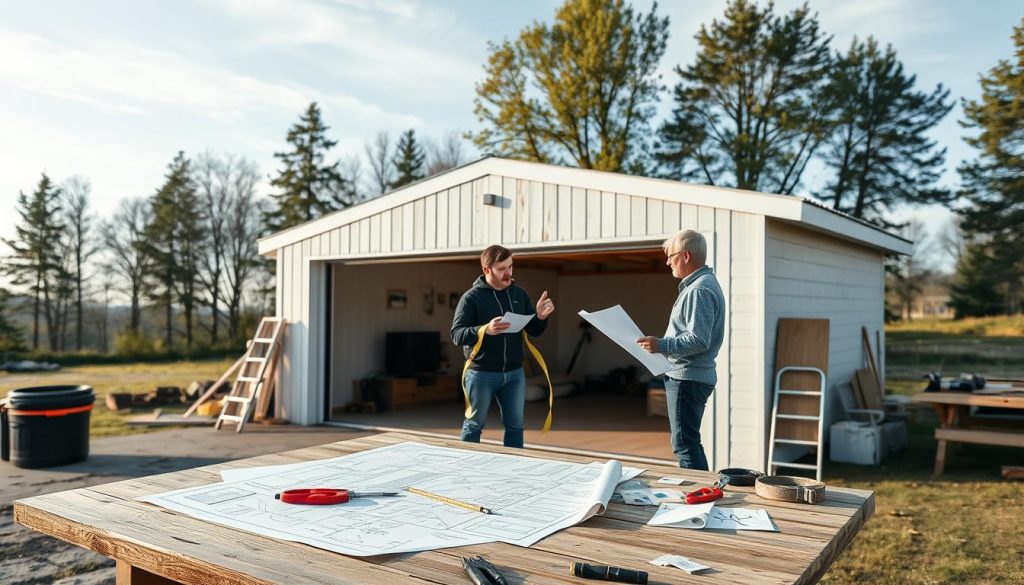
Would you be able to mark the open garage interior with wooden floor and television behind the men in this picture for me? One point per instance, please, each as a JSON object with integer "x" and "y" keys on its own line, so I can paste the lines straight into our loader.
{"x": 606, "y": 410}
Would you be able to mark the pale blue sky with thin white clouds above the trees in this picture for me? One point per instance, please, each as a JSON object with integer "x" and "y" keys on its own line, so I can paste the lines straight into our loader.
{"x": 113, "y": 90}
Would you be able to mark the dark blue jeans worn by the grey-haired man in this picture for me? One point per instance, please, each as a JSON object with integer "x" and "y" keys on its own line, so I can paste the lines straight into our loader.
{"x": 687, "y": 401}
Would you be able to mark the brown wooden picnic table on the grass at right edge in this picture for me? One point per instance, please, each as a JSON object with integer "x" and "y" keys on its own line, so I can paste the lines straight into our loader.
{"x": 957, "y": 425}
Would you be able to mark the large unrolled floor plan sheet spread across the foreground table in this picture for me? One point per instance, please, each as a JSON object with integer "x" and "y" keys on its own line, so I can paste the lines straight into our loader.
{"x": 530, "y": 498}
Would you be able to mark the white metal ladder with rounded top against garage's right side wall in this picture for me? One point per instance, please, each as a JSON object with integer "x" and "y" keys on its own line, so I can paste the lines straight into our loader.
{"x": 798, "y": 422}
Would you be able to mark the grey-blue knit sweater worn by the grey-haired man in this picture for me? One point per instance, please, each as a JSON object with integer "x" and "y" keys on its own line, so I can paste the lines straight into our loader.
{"x": 697, "y": 328}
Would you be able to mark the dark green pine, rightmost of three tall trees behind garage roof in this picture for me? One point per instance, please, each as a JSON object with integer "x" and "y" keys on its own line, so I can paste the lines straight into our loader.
{"x": 879, "y": 151}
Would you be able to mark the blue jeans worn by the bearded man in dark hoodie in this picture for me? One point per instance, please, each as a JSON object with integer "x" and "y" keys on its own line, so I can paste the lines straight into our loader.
{"x": 510, "y": 390}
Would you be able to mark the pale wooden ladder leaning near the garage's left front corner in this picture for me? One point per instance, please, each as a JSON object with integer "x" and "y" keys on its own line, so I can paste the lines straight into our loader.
{"x": 262, "y": 354}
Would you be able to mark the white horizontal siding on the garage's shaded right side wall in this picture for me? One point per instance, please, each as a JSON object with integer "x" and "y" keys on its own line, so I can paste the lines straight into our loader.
{"x": 808, "y": 275}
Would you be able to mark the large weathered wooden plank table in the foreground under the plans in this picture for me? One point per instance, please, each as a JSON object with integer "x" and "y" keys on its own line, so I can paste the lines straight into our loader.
{"x": 154, "y": 546}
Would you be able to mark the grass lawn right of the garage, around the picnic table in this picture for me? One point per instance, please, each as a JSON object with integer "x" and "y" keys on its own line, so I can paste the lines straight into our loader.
{"x": 967, "y": 526}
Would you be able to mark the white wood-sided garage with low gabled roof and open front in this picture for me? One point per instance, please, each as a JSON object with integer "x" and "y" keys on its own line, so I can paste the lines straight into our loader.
{"x": 593, "y": 240}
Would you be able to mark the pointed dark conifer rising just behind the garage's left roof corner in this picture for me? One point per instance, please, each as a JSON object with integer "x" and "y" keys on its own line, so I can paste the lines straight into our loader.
{"x": 308, "y": 187}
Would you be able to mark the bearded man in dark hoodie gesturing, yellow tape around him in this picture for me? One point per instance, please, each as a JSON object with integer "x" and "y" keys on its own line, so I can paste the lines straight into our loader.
{"x": 496, "y": 369}
